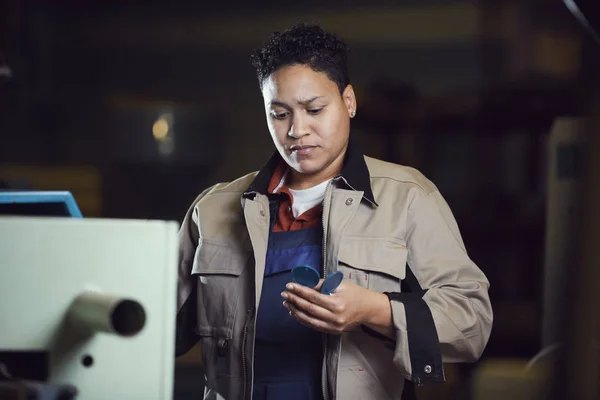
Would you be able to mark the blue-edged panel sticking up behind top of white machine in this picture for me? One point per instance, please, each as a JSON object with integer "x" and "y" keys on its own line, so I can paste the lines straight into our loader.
{"x": 61, "y": 203}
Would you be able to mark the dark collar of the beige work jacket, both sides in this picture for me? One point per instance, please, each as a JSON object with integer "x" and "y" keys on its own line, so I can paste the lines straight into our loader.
{"x": 355, "y": 174}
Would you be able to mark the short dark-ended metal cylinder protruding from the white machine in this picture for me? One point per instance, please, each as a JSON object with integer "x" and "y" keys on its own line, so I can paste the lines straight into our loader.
{"x": 99, "y": 312}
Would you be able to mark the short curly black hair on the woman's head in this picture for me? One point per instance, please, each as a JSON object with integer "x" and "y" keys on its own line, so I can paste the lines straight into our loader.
{"x": 304, "y": 44}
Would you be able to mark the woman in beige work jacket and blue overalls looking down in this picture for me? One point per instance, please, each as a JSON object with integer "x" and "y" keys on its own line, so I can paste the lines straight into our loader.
{"x": 411, "y": 297}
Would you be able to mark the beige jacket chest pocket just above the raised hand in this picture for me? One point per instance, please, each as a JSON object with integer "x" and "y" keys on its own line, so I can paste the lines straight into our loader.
{"x": 373, "y": 263}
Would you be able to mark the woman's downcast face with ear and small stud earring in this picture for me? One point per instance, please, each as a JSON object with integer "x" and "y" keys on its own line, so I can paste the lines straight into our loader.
{"x": 309, "y": 122}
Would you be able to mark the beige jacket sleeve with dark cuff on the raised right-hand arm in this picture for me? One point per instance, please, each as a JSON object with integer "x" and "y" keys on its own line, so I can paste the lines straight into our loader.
{"x": 450, "y": 318}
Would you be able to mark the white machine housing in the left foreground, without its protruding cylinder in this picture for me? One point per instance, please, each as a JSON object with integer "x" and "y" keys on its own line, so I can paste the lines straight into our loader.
{"x": 46, "y": 263}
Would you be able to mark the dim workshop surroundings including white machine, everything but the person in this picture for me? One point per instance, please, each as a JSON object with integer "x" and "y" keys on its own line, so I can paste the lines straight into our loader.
{"x": 115, "y": 115}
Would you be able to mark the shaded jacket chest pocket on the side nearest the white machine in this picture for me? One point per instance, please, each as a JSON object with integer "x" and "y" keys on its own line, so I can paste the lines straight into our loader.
{"x": 220, "y": 272}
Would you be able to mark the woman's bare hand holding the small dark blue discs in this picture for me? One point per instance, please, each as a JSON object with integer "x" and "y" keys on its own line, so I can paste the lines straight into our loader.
{"x": 350, "y": 305}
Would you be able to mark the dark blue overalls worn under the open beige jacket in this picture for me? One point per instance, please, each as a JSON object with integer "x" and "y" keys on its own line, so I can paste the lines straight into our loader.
{"x": 288, "y": 356}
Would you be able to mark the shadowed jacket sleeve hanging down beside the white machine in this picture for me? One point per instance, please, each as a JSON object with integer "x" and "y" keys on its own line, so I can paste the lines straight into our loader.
{"x": 186, "y": 337}
